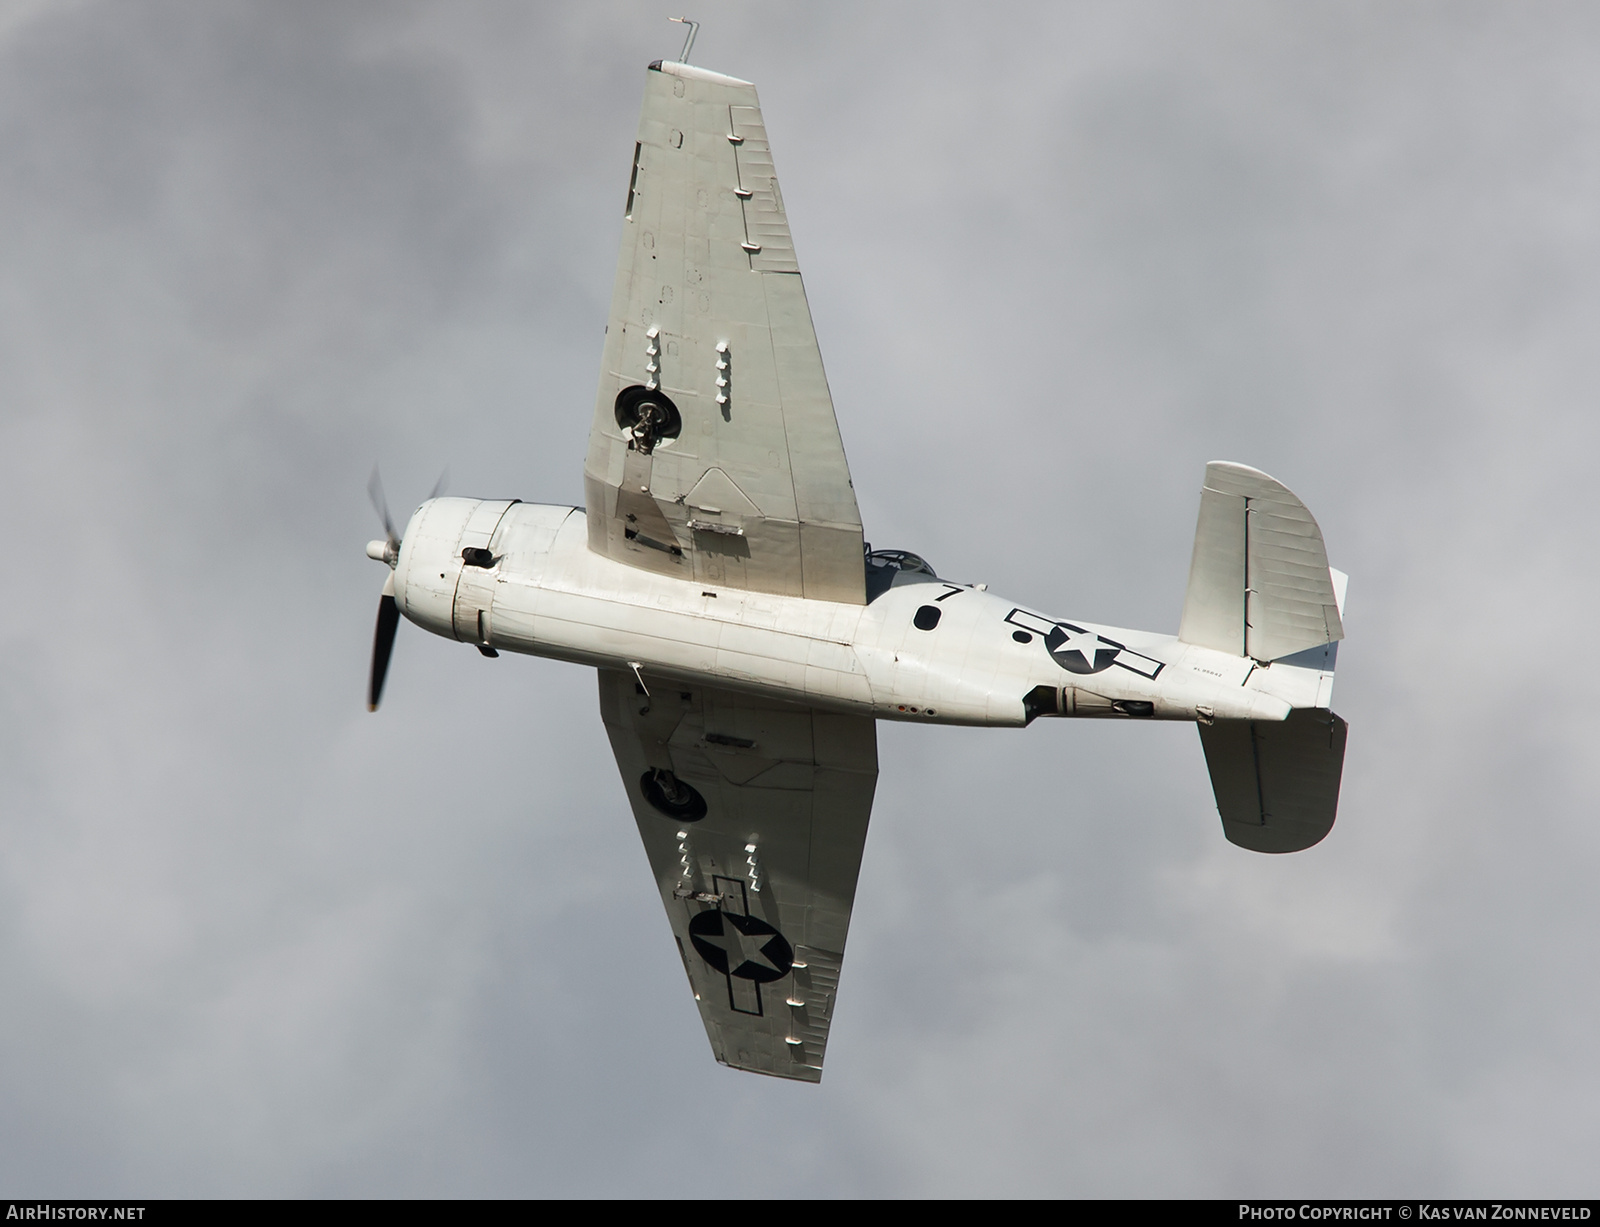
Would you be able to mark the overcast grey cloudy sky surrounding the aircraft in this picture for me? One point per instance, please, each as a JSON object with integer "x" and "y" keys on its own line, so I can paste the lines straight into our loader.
{"x": 257, "y": 941}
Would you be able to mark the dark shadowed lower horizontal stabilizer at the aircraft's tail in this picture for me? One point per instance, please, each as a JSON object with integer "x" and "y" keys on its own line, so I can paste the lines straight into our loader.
{"x": 1276, "y": 781}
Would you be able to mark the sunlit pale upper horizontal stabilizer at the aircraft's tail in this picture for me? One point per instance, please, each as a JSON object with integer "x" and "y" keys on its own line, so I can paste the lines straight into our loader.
{"x": 1258, "y": 583}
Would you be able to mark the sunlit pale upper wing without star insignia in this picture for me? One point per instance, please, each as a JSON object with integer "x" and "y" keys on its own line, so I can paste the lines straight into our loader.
{"x": 714, "y": 452}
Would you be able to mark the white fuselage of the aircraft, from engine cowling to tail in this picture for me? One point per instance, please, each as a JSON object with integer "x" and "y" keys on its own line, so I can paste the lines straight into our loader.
{"x": 986, "y": 661}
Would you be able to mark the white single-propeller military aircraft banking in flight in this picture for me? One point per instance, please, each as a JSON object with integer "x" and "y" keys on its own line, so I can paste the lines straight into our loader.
{"x": 748, "y": 639}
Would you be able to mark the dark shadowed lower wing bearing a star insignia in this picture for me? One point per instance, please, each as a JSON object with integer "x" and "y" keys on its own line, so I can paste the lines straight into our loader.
{"x": 754, "y": 817}
